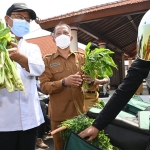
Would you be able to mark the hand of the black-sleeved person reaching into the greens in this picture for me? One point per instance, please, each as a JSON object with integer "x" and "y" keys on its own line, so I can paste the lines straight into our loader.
{"x": 90, "y": 132}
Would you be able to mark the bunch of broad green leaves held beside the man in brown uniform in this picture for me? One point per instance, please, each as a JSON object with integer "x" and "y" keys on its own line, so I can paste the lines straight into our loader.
{"x": 98, "y": 63}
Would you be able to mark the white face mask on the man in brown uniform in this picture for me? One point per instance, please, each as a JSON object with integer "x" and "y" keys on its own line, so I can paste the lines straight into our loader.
{"x": 62, "y": 41}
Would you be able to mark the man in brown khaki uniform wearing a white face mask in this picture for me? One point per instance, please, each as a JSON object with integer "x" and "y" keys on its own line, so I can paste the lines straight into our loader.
{"x": 62, "y": 79}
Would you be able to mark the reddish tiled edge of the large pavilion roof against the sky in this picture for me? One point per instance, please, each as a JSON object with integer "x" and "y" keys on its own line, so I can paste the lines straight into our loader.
{"x": 92, "y": 9}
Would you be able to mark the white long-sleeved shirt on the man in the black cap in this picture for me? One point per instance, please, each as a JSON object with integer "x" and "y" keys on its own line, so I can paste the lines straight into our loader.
{"x": 19, "y": 111}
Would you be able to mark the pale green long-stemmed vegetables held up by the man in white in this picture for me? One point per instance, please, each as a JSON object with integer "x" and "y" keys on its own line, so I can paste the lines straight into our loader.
{"x": 9, "y": 77}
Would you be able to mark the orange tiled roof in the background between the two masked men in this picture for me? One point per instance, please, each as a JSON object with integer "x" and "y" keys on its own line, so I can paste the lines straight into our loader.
{"x": 46, "y": 44}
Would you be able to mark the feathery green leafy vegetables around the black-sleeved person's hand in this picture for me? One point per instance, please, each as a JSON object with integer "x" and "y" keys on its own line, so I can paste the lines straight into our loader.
{"x": 81, "y": 122}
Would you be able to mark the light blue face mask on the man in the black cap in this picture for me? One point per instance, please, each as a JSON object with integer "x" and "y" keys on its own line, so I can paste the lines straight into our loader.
{"x": 20, "y": 27}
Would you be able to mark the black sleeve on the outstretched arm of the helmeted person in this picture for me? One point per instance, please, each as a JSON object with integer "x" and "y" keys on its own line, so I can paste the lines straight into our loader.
{"x": 137, "y": 72}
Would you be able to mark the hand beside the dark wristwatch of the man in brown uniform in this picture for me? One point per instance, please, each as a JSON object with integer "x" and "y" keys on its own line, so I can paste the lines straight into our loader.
{"x": 75, "y": 79}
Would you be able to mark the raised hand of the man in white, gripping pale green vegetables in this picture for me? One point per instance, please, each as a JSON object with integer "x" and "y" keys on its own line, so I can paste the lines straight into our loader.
{"x": 14, "y": 53}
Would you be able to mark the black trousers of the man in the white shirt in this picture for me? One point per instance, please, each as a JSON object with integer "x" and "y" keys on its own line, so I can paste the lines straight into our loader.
{"x": 18, "y": 140}
